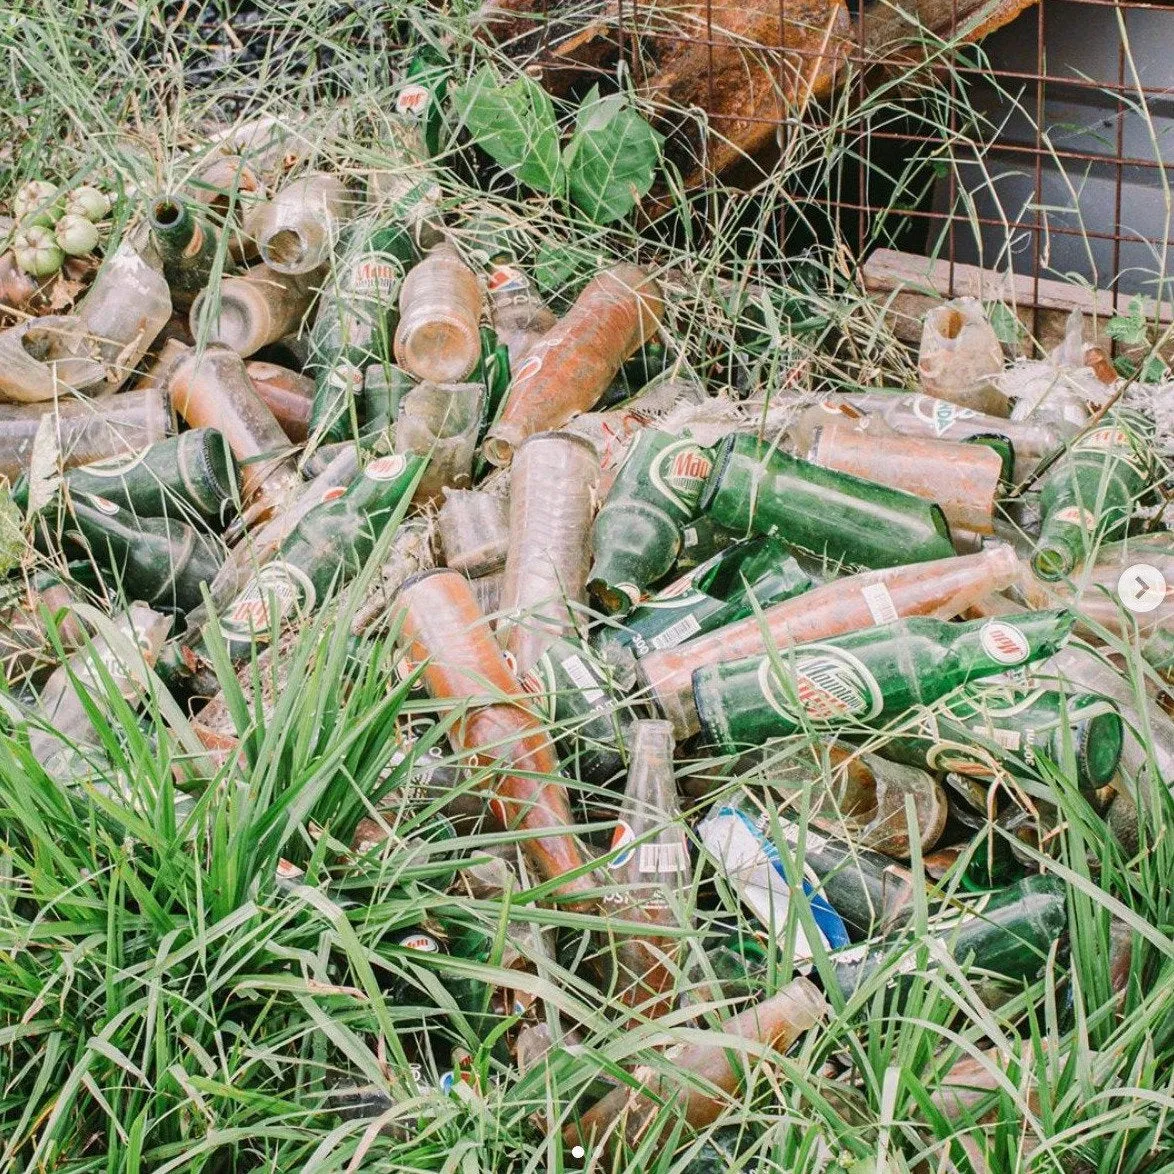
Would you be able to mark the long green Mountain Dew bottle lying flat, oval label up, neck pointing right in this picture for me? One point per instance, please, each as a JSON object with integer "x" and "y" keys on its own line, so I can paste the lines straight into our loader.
{"x": 865, "y": 678}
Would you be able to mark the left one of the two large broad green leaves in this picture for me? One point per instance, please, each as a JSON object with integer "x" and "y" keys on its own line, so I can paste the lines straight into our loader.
{"x": 515, "y": 125}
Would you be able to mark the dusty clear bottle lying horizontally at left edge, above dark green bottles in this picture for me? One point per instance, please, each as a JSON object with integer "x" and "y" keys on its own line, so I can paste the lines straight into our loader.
{"x": 84, "y": 430}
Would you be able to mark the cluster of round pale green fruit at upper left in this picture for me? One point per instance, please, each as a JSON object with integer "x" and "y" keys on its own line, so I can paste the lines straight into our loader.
{"x": 52, "y": 225}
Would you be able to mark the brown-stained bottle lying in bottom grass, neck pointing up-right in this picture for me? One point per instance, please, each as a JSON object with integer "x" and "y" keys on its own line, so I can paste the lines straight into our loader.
{"x": 698, "y": 1069}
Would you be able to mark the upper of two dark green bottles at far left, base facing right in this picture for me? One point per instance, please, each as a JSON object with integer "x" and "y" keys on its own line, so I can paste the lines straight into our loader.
{"x": 193, "y": 475}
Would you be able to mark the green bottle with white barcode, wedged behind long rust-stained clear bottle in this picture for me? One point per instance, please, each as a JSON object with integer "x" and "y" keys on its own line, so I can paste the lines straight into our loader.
{"x": 718, "y": 592}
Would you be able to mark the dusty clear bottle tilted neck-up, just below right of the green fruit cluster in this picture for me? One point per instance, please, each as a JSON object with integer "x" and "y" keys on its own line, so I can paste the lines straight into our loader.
{"x": 126, "y": 307}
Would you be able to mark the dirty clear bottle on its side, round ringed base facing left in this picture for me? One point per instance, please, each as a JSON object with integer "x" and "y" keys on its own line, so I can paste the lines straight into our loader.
{"x": 255, "y": 309}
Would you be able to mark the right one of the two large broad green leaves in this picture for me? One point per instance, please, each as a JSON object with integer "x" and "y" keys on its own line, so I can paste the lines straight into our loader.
{"x": 612, "y": 158}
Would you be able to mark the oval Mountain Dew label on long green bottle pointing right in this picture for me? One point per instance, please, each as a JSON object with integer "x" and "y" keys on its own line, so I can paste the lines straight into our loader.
{"x": 832, "y": 686}
